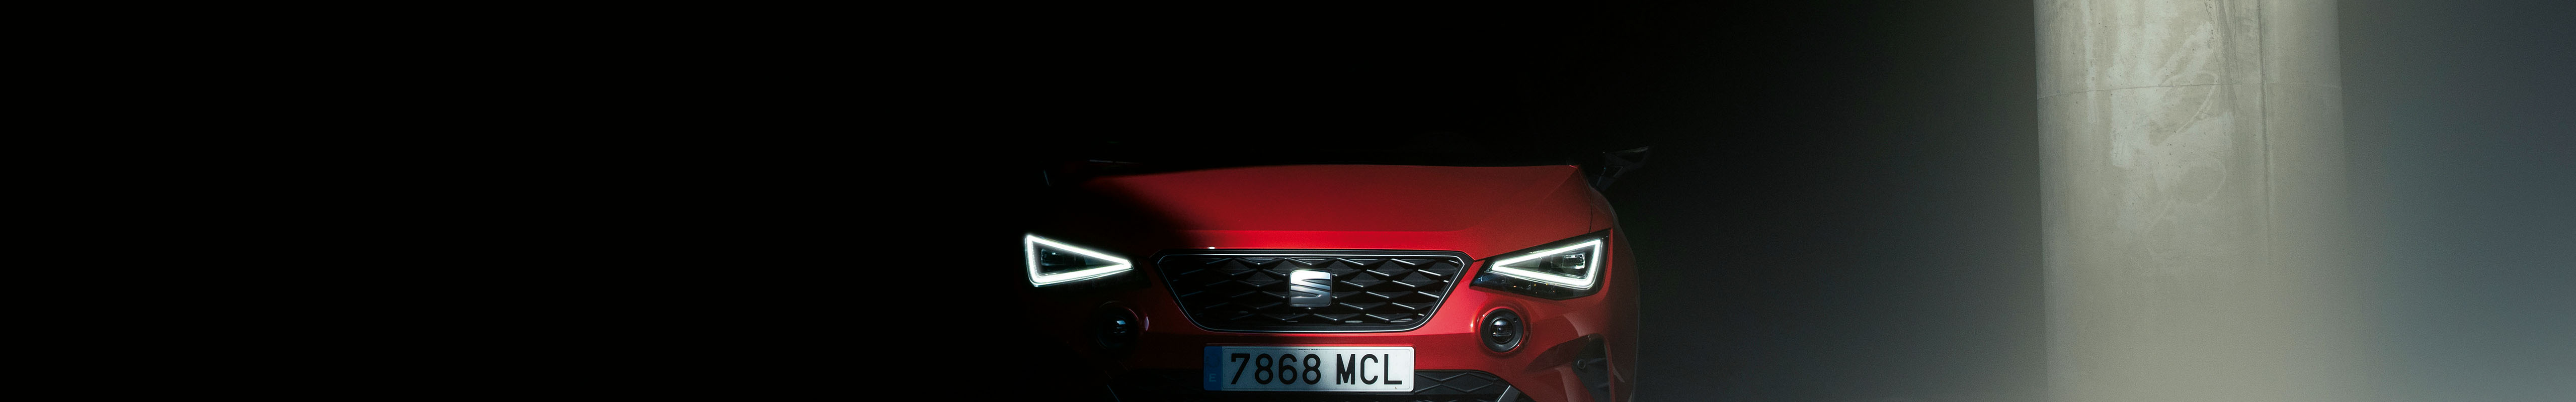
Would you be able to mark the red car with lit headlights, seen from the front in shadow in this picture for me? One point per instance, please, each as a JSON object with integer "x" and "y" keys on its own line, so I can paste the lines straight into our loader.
{"x": 1338, "y": 282}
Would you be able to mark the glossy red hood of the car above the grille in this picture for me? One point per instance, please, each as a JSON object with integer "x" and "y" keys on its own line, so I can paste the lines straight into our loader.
{"x": 1372, "y": 207}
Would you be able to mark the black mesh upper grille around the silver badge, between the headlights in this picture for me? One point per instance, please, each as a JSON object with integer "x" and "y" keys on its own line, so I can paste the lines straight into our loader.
{"x": 1372, "y": 292}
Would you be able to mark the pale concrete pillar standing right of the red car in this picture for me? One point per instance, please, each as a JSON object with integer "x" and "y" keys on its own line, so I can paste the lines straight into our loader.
{"x": 2191, "y": 161}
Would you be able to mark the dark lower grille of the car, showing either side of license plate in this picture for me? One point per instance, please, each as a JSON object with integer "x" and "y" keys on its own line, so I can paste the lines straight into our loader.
{"x": 1428, "y": 388}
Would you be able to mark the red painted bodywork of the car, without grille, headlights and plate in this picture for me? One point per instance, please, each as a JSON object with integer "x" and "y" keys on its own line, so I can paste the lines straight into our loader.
{"x": 1482, "y": 213}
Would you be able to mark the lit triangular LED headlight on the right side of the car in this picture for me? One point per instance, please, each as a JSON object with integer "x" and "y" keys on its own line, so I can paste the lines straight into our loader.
{"x": 1555, "y": 272}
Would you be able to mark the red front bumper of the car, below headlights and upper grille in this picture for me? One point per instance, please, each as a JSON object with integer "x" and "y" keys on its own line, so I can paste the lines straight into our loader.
{"x": 1573, "y": 349}
